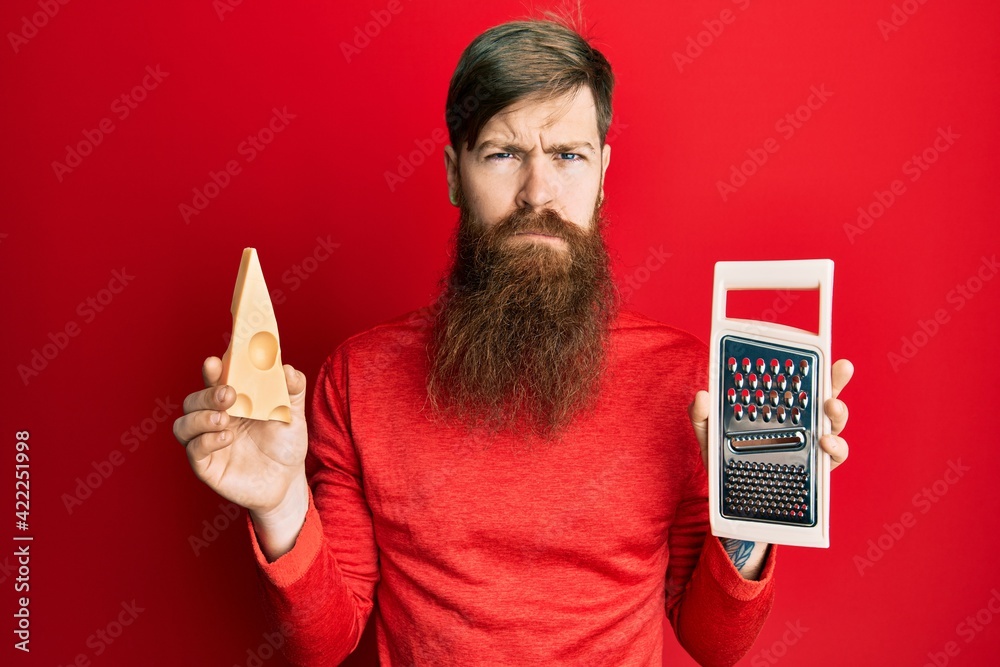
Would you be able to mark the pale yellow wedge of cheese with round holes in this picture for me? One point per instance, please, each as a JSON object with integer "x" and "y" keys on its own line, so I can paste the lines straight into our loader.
{"x": 252, "y": 364}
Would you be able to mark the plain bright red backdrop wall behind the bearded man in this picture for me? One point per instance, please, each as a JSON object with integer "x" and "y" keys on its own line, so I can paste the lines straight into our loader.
{"x": 677, "y": 132}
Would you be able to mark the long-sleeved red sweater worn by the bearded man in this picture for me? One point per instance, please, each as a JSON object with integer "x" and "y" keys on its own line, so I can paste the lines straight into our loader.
{"x": 563, "y": 555}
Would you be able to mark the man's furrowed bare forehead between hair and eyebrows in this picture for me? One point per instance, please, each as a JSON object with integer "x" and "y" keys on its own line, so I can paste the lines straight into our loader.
{"x": 573, "y": 114}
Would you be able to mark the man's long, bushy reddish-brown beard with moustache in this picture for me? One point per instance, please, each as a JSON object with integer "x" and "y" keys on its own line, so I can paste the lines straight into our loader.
{"x": 519, "y": 343}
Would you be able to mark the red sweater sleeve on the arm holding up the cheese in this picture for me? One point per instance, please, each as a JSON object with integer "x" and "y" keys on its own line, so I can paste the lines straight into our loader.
{"x": 321, "y": 592}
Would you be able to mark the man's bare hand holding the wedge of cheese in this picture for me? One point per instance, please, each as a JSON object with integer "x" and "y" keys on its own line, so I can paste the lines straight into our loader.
{"x": 257, "y": 464}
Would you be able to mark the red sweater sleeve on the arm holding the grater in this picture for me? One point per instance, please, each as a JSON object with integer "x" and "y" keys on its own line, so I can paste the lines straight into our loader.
{"x": 716, "y": 614}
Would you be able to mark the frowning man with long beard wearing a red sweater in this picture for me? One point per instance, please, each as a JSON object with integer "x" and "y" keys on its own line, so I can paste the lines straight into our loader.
{"x": 513, "y": 469}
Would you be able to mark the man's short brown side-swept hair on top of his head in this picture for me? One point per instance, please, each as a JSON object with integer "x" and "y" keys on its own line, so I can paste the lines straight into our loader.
{"x": 519, "y": 59}
